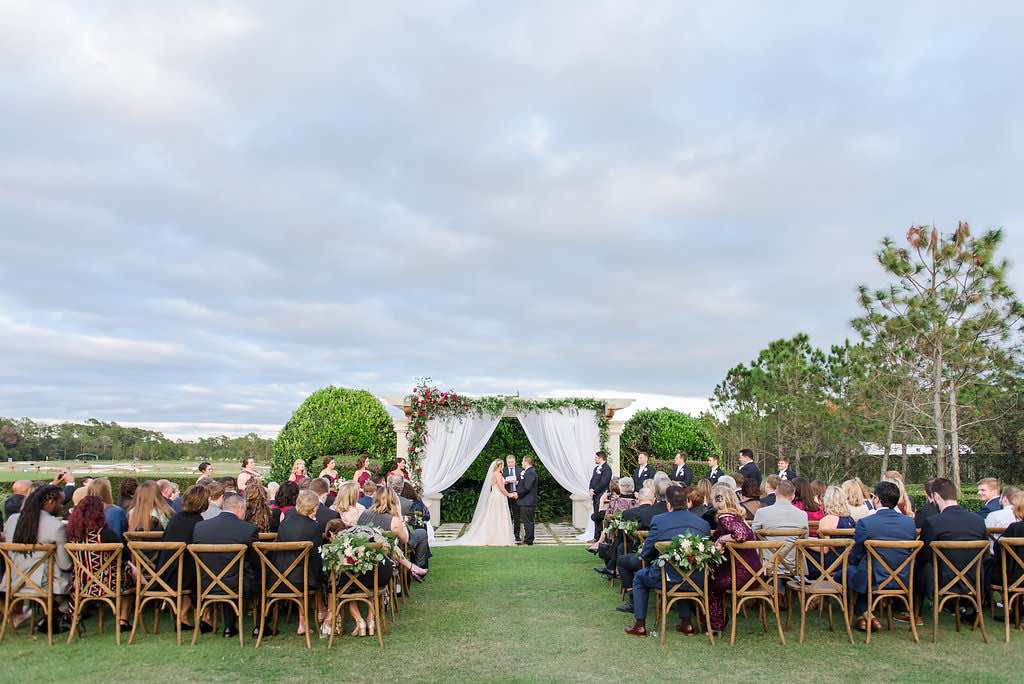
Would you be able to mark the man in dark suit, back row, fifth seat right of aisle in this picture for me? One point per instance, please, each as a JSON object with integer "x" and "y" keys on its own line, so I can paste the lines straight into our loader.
{"x": 953, "y": 524}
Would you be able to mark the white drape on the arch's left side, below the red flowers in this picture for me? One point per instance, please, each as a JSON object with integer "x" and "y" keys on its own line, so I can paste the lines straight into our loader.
{"x": 452, "y": 447}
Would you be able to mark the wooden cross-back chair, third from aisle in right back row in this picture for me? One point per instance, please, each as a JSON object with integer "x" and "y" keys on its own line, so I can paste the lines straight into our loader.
{"x": 831, "y": 583}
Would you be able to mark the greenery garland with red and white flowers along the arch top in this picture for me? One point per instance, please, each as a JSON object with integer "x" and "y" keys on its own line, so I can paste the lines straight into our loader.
{"x": 428, "y": 402}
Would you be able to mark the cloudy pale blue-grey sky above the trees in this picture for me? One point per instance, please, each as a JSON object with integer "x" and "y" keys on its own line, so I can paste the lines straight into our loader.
{"x": 208, "y": 210}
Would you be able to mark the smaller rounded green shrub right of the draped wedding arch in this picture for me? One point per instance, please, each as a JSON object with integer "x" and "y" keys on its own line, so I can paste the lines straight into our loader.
{"x": 661, "y": 434}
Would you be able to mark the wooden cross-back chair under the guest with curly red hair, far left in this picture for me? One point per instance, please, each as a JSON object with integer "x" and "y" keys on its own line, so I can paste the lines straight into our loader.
{"x": 98, "y": 571}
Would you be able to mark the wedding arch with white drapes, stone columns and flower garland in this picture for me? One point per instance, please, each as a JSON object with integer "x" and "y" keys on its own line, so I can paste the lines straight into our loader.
{"x": 441, "y": 434}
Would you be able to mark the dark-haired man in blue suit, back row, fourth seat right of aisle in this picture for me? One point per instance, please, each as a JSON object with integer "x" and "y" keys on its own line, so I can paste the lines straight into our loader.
{"x": 886, "y": 525}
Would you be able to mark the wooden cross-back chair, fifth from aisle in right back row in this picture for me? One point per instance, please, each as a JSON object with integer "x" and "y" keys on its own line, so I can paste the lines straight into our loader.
{"x": 954, "y": 589}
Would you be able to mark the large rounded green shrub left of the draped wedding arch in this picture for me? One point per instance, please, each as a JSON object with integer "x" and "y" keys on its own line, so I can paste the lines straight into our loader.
{"x": 333, "y": 421}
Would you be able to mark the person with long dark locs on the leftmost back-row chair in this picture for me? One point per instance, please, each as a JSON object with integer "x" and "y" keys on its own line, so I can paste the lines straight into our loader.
{"x": 39, "y": 523}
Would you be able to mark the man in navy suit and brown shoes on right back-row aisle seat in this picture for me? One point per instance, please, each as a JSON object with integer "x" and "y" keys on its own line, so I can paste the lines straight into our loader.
{"x": 665, "y": 528}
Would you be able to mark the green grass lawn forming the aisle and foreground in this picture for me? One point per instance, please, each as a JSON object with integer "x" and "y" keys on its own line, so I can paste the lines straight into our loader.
{"x": 523, "y": 615}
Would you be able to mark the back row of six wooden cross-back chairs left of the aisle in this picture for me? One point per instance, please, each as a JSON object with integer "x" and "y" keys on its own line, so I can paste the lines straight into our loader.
{"x": 99, "y": 579}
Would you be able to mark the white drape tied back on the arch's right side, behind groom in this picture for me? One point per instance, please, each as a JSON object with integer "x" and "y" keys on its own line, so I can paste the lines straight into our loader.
{"x": 566, "y": 442}
